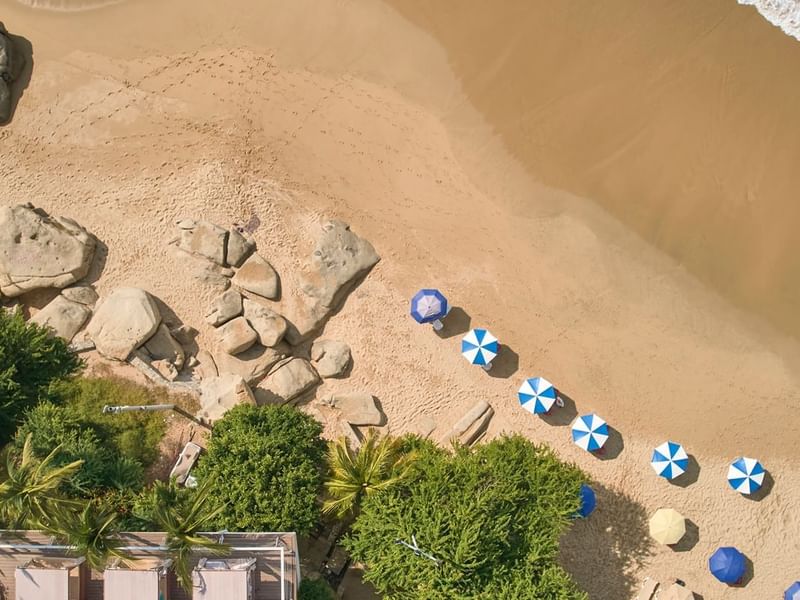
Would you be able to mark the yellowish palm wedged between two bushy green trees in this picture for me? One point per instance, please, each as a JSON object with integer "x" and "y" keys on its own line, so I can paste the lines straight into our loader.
{"x": 378, "y": 465}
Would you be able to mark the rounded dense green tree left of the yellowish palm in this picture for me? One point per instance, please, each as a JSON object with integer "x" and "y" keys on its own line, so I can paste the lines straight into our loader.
{"x": 265, "y": 462}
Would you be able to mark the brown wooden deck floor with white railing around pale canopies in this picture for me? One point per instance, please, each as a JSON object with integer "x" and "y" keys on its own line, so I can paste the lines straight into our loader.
{"x": 277, "y": 563}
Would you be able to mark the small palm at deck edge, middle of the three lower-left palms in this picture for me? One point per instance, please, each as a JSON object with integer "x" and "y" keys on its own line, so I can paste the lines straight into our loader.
{"x": 92, "y": 533}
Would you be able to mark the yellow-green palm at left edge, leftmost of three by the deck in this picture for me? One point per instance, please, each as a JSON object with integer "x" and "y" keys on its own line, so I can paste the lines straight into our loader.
{"x": 30, "y": 493}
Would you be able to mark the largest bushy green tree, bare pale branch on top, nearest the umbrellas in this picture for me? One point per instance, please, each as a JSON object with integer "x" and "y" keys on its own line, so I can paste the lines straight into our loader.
{"x": 487, "y": 522}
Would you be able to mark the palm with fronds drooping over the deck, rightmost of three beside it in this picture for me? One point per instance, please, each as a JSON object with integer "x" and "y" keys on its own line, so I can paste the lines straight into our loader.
{"x": 181, "y": 514}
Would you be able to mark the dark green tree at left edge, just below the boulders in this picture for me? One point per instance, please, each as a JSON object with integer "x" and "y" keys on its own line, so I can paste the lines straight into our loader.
{"x": 31, "y": 359}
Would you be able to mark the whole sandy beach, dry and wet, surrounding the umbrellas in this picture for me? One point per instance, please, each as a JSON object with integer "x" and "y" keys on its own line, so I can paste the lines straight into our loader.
{"x": 140, "y": 113}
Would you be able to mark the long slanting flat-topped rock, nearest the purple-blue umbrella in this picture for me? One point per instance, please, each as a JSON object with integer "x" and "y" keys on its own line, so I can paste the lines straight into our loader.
{"x": 339, "y": 260}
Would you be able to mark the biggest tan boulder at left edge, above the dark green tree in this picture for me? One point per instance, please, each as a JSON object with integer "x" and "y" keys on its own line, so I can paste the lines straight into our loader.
{"x": 39, "y": 251}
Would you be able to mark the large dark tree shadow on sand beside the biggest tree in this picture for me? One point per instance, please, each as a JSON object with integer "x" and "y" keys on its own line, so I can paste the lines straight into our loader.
{"x": 617, "y": 533}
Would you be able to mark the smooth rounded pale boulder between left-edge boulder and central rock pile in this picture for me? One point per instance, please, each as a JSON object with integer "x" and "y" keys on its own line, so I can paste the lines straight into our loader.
{"x": 123, "y": 322}
